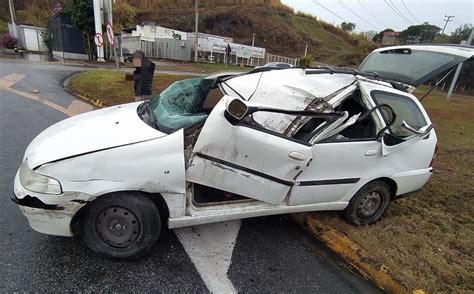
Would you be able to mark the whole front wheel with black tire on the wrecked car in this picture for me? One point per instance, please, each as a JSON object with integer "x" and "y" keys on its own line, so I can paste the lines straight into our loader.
{"x": 120, "y": 225}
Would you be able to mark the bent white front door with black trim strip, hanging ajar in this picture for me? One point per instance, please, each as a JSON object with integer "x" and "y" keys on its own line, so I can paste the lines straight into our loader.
{"x": 246, "y": 160}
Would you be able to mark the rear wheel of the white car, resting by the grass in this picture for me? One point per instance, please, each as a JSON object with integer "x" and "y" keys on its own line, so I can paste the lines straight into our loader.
{"x": 369, "y": 204}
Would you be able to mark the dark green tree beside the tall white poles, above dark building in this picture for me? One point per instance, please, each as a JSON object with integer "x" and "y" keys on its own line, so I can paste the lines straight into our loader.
{"x": 82, "y": 17}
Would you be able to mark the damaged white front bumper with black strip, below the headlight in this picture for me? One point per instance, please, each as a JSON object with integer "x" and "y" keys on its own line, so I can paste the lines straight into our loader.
{"x": 46, "y": 213}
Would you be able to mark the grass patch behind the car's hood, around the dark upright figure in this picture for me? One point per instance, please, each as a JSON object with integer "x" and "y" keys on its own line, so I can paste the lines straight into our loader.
{"x": 111, "y": 87}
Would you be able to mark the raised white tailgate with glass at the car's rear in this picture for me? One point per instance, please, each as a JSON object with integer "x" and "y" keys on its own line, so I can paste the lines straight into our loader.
{"x": 414, "y": 64}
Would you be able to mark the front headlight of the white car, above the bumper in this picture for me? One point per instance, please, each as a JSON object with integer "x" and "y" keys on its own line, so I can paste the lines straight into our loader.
{"x": 38, "y": 183}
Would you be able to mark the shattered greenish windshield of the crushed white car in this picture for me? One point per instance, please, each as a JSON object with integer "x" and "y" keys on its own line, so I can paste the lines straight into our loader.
{"x": 181, "y": 104}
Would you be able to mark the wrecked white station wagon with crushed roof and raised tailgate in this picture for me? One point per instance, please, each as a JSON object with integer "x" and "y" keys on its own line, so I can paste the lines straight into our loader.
{"x": 234, "y": 146}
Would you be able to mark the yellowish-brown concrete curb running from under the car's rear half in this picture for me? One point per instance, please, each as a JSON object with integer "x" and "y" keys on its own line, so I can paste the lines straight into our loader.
{"x": 353, "y": 253}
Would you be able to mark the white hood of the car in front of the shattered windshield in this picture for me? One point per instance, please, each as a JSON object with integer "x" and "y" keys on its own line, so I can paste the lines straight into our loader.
{"x": 93, "y": 131}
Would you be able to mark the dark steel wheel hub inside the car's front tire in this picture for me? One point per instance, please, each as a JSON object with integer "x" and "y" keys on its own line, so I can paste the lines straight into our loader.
{"x": 118, "y": 226}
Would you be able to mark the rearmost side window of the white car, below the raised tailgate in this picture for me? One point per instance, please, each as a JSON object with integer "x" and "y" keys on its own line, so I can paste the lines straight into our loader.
{"x": 405, "y": 109}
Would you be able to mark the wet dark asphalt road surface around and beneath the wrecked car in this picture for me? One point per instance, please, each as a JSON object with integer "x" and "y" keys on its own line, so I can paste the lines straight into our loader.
{"x": 270, "y": 254}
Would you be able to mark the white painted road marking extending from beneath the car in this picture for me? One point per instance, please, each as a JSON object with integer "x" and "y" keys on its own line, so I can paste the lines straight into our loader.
{"x": 210, "y": 248}
